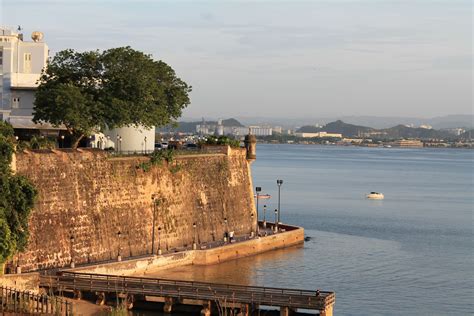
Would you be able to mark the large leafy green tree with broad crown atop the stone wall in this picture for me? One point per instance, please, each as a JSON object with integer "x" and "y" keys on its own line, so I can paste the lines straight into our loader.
{"x": 92, "y": 91}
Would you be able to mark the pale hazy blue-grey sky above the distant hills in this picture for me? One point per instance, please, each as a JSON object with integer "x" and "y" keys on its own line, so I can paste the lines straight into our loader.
{"x": 282, "y": 59}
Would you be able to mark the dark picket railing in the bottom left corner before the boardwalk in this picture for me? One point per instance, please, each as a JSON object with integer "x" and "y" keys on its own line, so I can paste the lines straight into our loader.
{"x": 15, "y": 301}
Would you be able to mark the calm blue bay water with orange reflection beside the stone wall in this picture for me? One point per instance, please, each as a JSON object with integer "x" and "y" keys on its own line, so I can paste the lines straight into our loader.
{"x": 409, "y": 254}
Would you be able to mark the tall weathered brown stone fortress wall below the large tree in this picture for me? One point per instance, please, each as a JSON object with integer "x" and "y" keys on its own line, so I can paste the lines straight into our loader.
{"x": 92, "y": 197}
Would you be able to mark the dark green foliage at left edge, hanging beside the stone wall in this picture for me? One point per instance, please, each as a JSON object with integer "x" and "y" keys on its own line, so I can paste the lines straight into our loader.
{"x": 17, "y": 197}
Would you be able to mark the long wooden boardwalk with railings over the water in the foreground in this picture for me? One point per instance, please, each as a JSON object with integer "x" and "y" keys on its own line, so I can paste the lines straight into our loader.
{"x": 289, "y": 299}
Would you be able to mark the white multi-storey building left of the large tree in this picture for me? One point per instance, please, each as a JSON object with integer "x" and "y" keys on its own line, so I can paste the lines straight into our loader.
{"x": 21, "y": 63}
